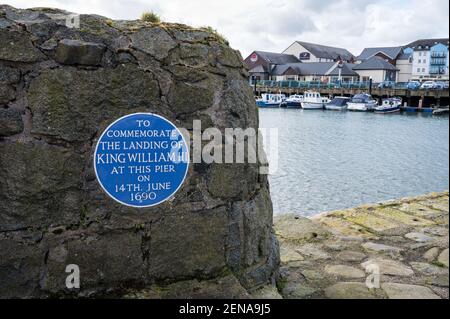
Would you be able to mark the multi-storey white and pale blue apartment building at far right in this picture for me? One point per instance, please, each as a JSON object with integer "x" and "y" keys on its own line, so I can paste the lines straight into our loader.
{"x": 430, "y": 59}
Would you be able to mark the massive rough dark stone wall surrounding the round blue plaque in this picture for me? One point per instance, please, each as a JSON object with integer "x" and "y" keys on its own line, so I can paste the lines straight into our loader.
{"x": 60, "y": 87}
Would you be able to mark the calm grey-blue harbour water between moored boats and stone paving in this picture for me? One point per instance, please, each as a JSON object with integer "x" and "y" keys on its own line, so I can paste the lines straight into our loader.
{"x": 334, "y": 160}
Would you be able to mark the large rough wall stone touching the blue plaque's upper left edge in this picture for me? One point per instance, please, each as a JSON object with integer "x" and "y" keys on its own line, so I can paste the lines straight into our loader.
{"x": 72, "y": 104}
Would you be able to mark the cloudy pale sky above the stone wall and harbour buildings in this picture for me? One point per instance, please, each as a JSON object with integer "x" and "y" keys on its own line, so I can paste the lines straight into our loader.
{"x": 273, "y": 25}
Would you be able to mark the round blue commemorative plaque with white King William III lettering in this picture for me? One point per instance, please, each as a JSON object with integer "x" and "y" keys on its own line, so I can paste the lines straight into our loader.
{"x": 141, "y": 160}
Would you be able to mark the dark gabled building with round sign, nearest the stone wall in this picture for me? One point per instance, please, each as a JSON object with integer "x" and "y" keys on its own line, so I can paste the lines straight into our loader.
{"x": 261, "y": 64}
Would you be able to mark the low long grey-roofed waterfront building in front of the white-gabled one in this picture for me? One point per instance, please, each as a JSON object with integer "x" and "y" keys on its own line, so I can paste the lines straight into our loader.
{"x": 315, "y": 71}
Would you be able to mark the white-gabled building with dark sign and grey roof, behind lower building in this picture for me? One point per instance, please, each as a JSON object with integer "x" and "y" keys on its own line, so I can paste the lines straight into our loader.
{"x": 310, "y": 53}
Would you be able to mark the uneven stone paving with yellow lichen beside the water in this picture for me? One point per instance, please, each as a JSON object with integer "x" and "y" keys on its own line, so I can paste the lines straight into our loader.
{"x": 333, "y": 254}
